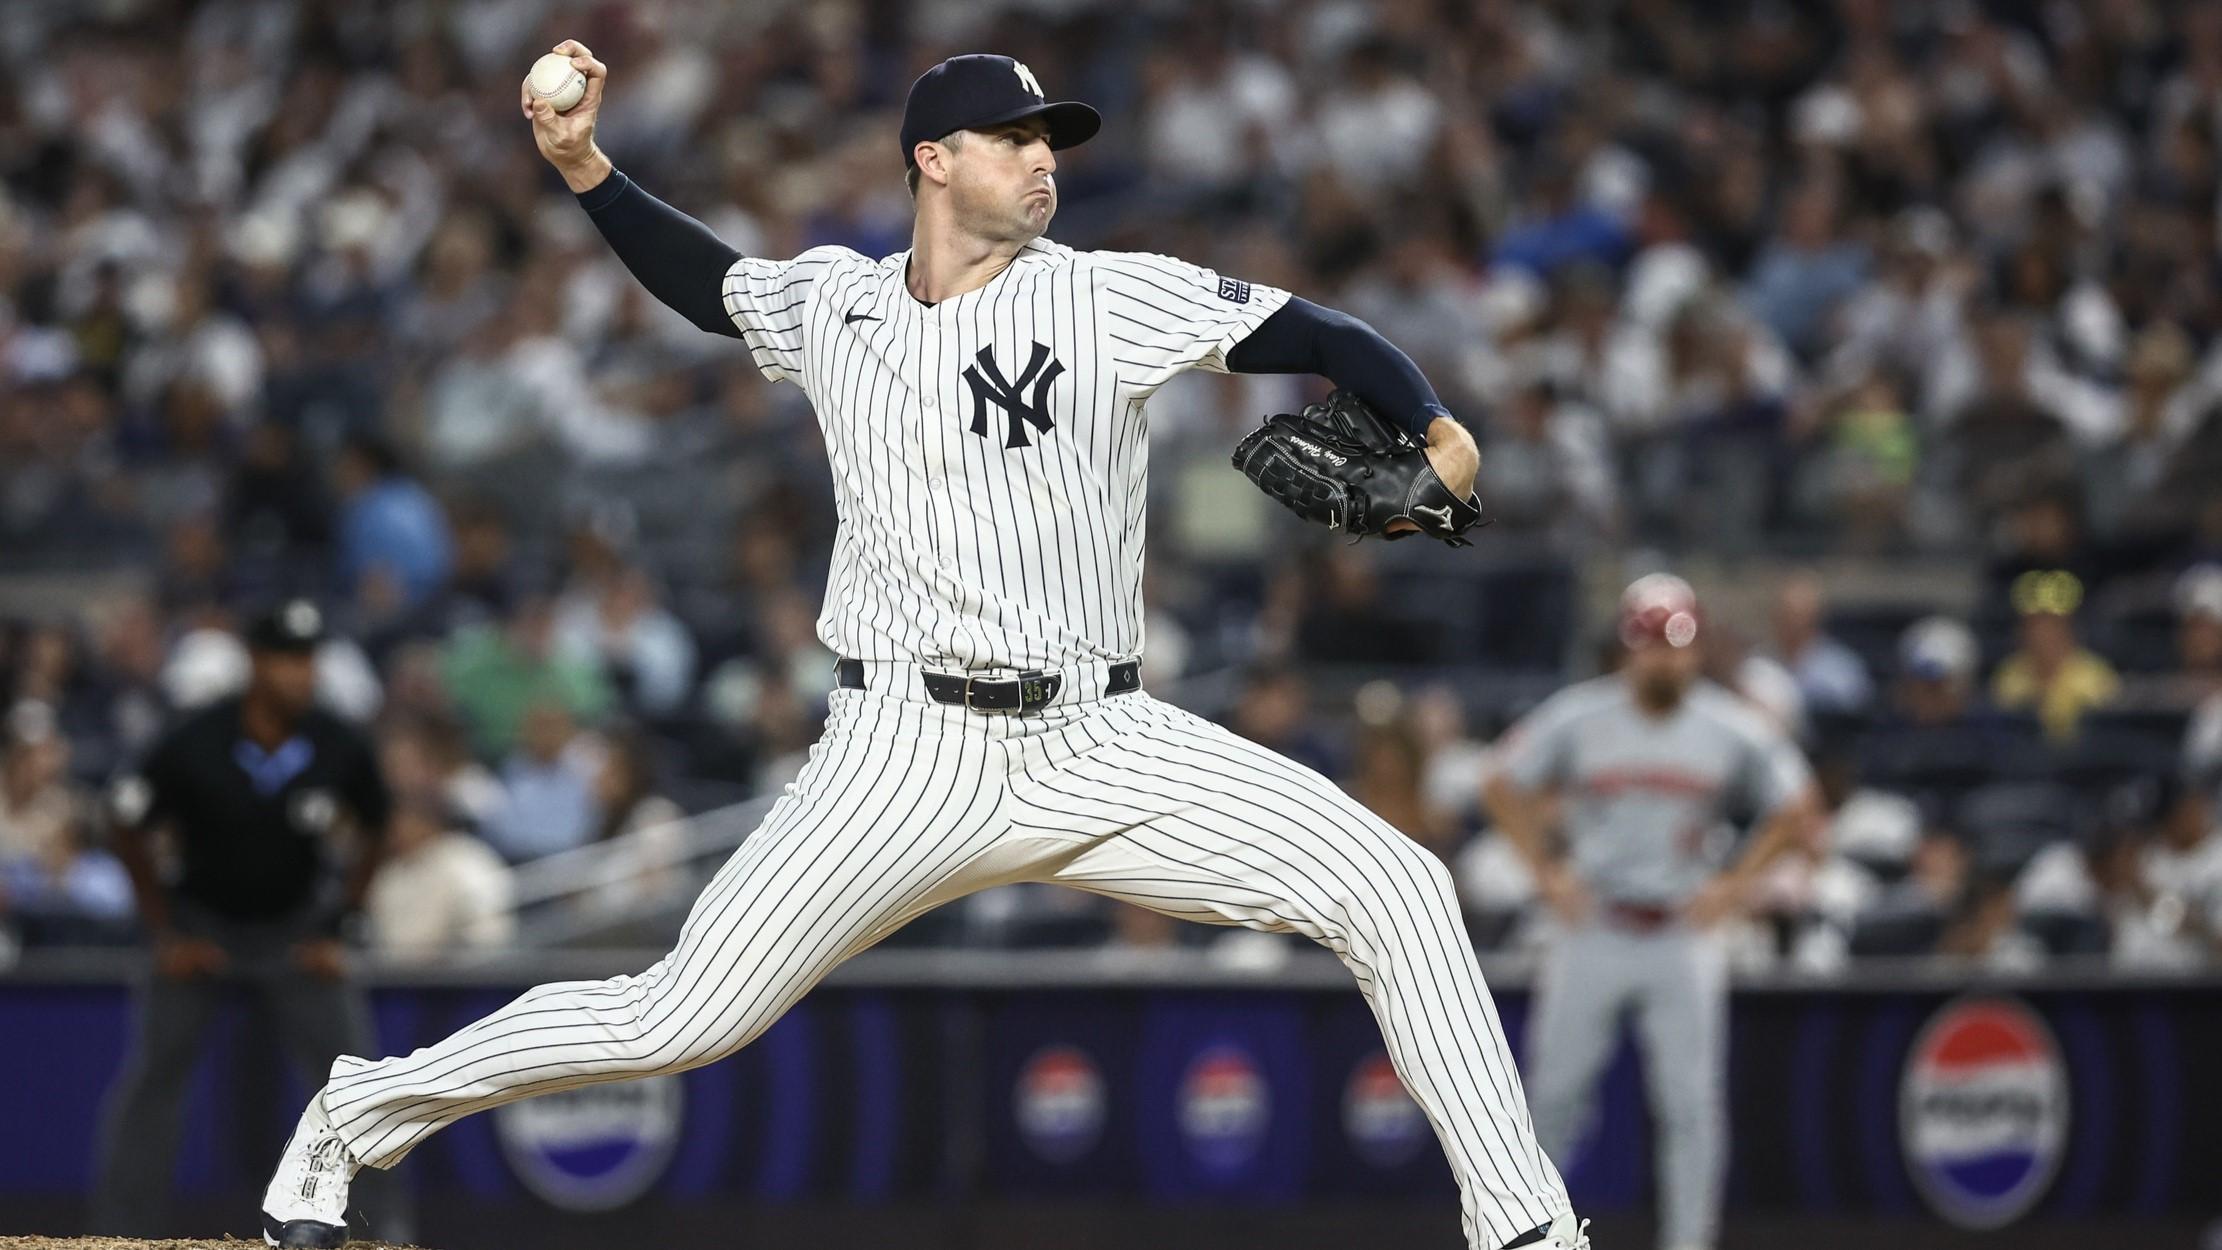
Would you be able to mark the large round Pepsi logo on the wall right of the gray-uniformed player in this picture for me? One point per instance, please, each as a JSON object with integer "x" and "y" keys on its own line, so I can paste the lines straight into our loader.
{"x": 1983, "y": 1111}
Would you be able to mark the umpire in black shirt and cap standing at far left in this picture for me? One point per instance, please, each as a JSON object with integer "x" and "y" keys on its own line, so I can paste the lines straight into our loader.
{"x": 257, "y": 792}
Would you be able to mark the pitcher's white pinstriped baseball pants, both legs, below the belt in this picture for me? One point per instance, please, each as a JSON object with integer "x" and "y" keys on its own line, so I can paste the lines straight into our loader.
{"x": 908, "y": 805}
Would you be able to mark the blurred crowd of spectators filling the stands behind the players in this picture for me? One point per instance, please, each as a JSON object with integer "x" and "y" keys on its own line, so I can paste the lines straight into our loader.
{"x": 292, "y": 308}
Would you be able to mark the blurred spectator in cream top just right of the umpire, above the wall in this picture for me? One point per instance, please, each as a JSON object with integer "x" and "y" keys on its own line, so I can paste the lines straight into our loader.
{"x": 441, "y": 891}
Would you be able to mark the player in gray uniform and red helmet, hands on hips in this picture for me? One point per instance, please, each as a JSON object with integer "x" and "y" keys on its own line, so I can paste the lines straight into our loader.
{"x": 1643, "y": 772}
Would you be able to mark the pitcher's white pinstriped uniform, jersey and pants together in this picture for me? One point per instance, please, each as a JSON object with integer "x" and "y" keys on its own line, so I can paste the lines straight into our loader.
{"x": 1003, "y": 532}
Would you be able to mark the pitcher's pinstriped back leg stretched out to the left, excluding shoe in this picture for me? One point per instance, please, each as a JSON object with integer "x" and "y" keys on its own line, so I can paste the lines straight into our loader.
{"x": 881, "y": 823}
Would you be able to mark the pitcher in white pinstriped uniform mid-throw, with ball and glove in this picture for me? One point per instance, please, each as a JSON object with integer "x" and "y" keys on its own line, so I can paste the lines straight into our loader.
{"x": 983, "y": 401}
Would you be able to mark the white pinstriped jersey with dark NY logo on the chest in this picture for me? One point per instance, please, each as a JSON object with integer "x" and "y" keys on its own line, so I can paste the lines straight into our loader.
{"x": 990, "y": 452}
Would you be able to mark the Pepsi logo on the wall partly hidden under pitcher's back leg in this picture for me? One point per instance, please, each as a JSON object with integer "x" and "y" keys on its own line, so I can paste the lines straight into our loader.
{"x": 594, "y": 1147}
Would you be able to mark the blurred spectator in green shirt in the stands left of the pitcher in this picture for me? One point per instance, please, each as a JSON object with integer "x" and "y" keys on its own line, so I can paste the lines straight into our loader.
{"x": 494, "y": 674}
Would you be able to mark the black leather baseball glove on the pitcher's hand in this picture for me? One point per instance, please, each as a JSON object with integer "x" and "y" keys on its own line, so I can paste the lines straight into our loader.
{"x": 1345, "y": 467}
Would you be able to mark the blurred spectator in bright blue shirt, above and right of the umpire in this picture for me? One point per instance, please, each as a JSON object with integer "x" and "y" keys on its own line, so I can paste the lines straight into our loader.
{"x": 392, "y": 538}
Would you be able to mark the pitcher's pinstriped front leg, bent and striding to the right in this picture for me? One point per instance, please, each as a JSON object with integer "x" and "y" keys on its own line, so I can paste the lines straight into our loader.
{"x": 1181, "y": 816}
